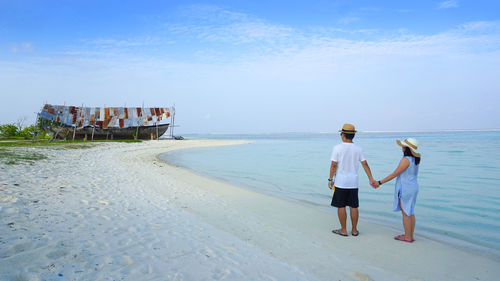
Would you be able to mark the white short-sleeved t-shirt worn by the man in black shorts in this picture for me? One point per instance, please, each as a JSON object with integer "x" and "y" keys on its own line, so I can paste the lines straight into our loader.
{"x": 347, "y": 156}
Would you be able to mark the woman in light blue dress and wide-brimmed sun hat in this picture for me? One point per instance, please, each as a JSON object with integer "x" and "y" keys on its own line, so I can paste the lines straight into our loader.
{"x": 406, "y": 190}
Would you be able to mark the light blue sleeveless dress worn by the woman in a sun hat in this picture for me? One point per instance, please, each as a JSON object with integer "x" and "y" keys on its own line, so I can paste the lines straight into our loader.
{"x": 407, "y": 188}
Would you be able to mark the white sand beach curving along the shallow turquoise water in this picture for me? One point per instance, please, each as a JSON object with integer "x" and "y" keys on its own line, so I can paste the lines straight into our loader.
{"x": 117, "y": 212}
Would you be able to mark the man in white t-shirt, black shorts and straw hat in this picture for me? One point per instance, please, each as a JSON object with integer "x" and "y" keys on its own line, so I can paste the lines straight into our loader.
{"x": 346, "y": 157}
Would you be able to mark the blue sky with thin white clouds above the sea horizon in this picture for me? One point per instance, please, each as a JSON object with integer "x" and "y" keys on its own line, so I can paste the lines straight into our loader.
{"x": 259, "y": 66}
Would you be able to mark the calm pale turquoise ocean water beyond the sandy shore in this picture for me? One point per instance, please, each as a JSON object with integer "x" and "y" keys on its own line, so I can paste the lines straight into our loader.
{"x": 459, "y": 177}
